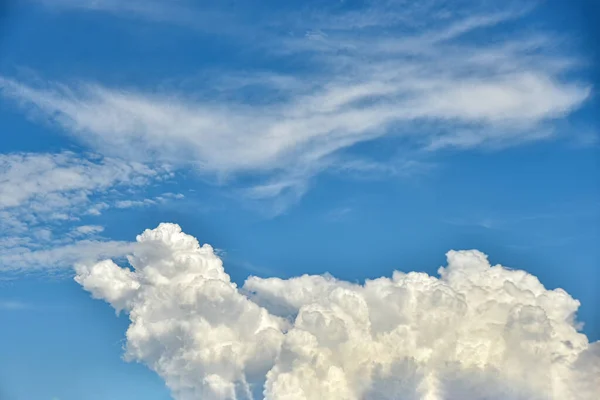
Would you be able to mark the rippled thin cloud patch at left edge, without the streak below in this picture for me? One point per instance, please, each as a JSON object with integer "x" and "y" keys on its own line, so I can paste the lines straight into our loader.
{"x": 57, "y": 188}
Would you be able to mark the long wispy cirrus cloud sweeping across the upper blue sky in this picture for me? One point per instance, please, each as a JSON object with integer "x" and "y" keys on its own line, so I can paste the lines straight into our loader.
{"x": 437, "y": 87}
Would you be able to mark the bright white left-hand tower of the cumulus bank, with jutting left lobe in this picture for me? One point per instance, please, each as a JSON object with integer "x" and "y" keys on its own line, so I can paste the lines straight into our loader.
{"x": 189, "y": 322}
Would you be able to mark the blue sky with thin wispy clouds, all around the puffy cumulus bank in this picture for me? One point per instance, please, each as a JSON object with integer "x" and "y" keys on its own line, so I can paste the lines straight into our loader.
{"x": 355, "y": 139}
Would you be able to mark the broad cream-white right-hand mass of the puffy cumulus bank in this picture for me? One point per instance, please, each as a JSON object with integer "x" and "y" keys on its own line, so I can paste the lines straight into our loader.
{"x": 476, "y": 332}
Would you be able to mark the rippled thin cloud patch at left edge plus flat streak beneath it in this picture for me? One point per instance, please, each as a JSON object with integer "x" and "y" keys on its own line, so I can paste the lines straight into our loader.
{"x": 43, "y": 194}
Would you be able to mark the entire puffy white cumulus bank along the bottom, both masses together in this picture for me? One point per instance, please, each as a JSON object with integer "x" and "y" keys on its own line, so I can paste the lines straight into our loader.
{"x": 474, "y": 332}
